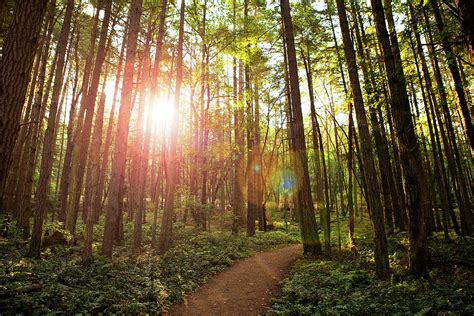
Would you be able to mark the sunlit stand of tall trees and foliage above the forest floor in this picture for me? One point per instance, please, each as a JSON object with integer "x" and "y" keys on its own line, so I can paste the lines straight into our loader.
{"x": 238, "y": 116}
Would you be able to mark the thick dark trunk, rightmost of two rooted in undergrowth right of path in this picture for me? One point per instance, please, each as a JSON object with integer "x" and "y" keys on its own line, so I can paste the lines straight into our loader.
{"x": 418, "y": 200}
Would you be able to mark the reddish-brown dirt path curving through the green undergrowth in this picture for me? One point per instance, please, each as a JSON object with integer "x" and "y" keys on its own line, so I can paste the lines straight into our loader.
{"x": 245, "y": 288}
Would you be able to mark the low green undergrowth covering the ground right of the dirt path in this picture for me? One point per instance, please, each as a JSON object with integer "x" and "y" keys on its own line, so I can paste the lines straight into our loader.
{"x": 345, "y": 283}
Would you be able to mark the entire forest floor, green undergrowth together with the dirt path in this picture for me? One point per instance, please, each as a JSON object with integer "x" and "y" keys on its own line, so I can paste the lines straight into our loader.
{"x": 213, "y": 266}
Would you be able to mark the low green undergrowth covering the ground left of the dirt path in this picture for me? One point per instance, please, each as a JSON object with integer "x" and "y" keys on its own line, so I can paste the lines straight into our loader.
{"x": 147, "y": 283}
